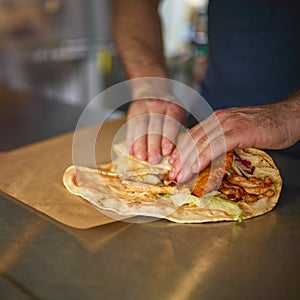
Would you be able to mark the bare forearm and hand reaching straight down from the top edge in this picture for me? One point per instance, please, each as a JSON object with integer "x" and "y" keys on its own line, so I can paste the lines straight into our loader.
{"x": 137, "y": 33}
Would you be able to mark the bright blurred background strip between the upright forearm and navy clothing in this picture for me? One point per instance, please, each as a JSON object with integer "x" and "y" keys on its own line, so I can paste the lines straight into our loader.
{"x": 185, "y": 39}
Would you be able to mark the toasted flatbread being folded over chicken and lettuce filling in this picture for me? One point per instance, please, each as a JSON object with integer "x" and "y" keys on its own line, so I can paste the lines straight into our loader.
{"x": 126, "y": 198}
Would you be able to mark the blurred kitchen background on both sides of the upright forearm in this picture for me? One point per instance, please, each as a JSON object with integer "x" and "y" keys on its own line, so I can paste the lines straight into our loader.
{"x": 63, "y": 49}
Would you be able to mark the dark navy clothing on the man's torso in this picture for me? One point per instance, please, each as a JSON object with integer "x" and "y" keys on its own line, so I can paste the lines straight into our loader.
{"x": 254, "y": 52}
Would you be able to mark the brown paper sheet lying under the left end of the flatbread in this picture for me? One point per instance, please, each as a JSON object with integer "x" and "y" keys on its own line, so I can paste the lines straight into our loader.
{"x": 33, "y": 175}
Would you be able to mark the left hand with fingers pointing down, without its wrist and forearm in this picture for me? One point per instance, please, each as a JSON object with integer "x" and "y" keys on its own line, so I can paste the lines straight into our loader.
{"x": 153, "y": 126}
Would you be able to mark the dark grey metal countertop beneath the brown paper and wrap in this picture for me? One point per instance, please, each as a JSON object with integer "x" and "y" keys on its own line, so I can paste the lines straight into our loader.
{"x": 42, "y": 259}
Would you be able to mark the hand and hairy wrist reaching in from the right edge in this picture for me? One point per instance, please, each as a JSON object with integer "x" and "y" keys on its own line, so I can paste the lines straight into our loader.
{"x": 273, "y": 126}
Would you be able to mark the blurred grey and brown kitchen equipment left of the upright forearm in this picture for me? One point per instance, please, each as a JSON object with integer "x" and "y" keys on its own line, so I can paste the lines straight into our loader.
{"x": 59, "y": 56}
